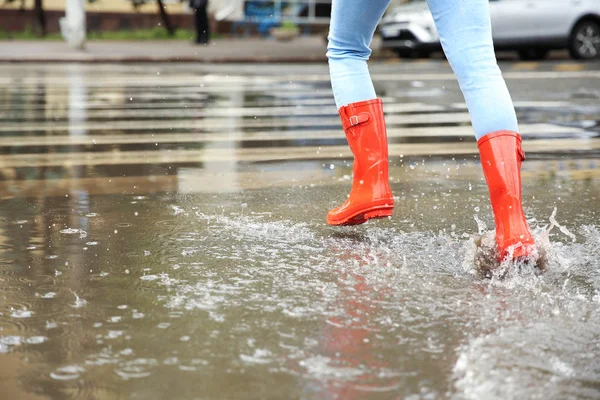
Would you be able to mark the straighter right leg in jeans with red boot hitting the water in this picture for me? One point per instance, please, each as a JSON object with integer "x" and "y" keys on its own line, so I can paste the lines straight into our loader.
{"x": 466, "y": 36}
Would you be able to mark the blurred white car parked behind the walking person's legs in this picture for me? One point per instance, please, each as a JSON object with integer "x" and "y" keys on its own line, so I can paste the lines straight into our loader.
{"x": 531, "y": 27}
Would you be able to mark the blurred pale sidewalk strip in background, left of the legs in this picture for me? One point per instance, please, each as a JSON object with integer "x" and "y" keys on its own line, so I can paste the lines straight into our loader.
{"x": 303, "y": 49}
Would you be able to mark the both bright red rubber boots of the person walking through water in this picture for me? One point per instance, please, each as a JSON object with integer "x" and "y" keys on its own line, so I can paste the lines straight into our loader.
{"x": 371, "y": 196}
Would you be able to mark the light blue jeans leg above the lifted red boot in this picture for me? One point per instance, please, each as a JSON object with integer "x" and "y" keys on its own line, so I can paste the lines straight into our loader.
{"x": 353, "y": 23}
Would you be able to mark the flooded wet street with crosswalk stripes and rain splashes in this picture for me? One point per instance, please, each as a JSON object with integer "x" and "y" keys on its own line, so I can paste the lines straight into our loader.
{"x": 162, "y": 235}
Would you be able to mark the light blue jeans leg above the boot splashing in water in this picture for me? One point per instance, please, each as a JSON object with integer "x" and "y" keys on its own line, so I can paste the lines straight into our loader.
{"x": 466, "y": 36}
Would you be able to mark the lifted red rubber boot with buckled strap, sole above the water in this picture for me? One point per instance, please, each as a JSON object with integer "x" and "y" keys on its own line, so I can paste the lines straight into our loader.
{"x": 371, "y": 196}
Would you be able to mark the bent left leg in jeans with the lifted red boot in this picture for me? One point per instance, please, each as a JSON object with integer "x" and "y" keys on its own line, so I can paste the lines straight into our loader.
{"x": 353, "y": 23}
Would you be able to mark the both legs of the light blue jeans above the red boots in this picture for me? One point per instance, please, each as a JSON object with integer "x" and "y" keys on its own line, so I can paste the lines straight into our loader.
{"x": 466, "y": 36}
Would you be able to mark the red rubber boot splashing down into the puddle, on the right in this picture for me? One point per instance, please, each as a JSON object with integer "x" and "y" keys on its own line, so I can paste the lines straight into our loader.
{"x": 501, "y": 157}
